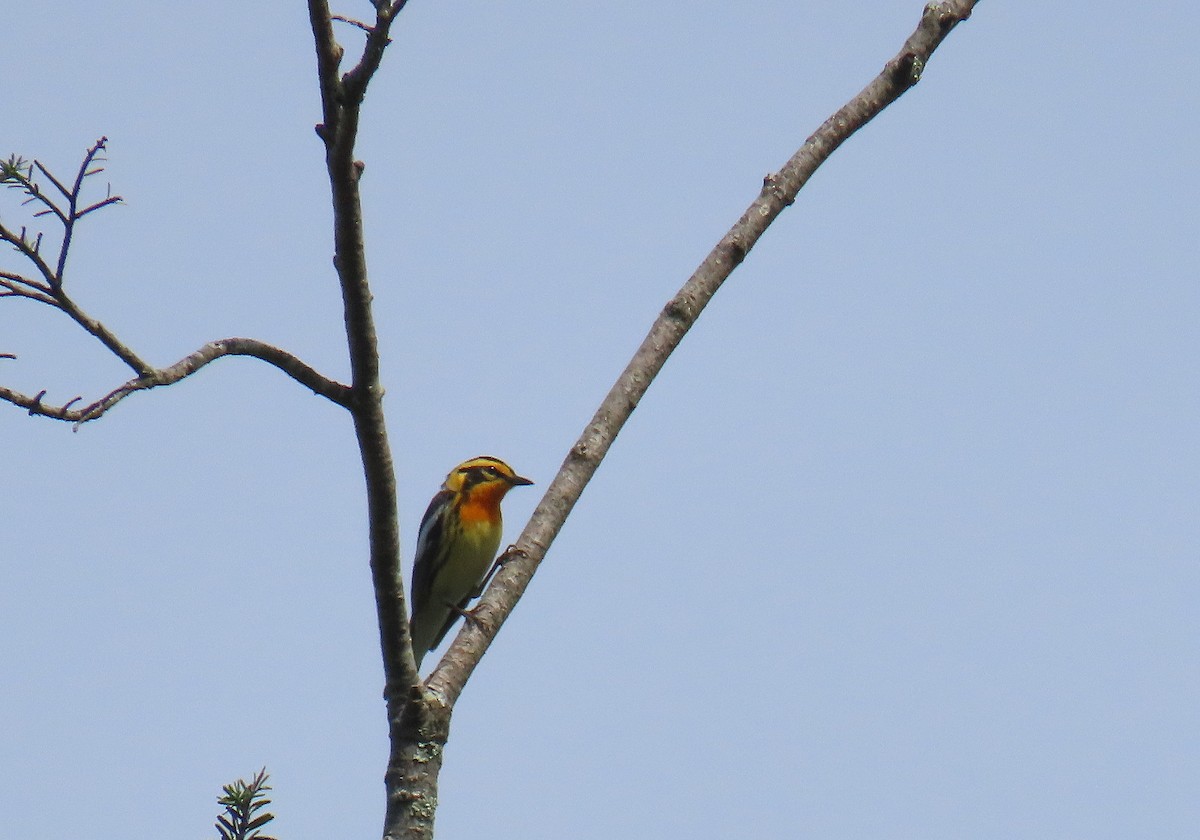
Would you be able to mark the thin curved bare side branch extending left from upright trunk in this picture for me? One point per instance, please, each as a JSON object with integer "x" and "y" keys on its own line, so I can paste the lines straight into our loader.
{"x": 183, "y": 369}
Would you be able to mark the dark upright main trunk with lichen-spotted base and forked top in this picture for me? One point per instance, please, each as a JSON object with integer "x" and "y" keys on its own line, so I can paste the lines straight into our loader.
{"x": 417, "y": 724}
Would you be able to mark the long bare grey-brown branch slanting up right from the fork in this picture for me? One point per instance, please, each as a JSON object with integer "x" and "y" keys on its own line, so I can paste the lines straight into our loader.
{"x": 779, "y": 190}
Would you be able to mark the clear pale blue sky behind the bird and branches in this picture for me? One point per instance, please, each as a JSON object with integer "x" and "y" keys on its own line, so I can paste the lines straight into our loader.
{"x": 903, "y": 543}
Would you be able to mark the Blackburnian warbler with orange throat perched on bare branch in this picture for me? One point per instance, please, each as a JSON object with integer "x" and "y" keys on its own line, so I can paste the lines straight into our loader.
{"x": 459, "y": 539}
